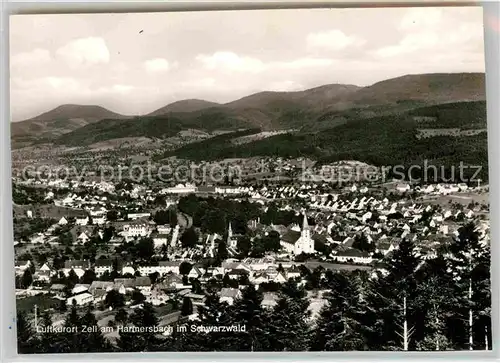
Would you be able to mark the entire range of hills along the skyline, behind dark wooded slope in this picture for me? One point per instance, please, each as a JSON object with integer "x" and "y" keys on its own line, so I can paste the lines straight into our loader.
{"x": 313, "y": 110}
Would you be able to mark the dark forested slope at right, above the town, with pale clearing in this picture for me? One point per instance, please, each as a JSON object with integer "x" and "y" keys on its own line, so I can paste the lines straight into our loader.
{"x": 384, "y": 140}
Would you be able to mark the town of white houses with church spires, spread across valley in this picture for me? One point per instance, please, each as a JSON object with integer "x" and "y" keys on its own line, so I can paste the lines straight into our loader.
{"x": 115, "y": 246}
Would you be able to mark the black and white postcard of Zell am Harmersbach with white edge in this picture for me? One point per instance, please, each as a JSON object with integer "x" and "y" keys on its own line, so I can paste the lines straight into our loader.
{"x": 280, "y": 180}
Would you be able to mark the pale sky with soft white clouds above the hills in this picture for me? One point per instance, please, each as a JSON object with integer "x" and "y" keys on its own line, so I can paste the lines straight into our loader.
{"x": 136, "y": 63}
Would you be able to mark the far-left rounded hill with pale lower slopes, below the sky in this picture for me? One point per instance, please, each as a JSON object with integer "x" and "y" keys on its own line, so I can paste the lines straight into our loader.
{"x": 59, "y": 121}
